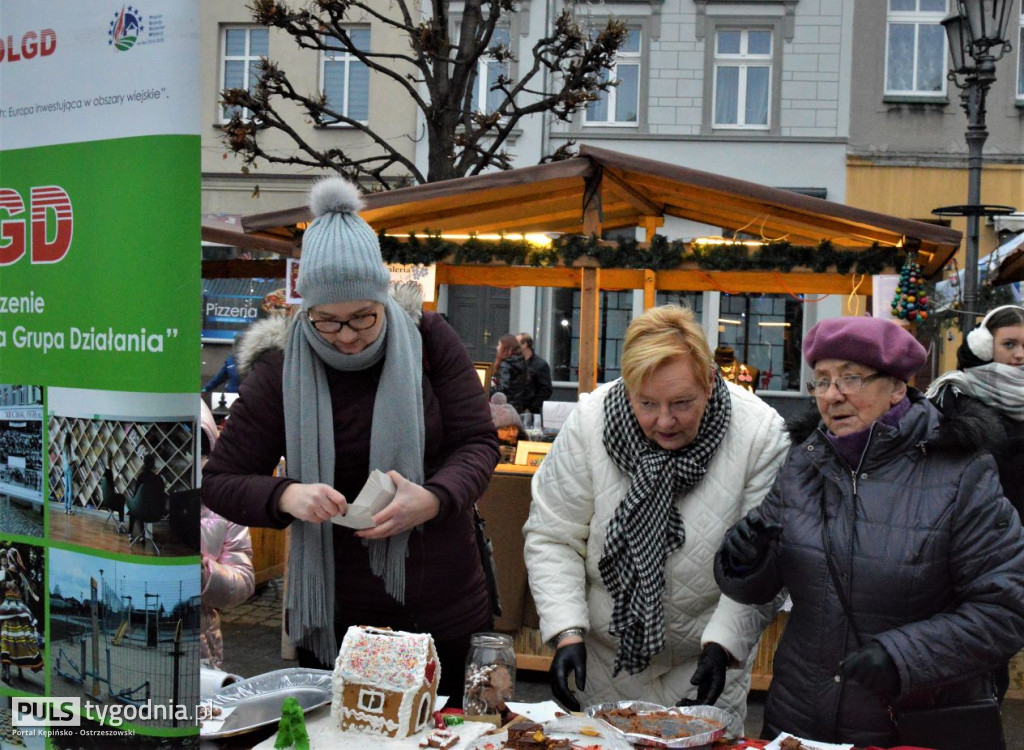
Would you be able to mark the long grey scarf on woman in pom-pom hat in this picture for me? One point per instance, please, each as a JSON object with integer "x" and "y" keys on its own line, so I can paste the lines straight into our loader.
{"x": 397, "y": 442}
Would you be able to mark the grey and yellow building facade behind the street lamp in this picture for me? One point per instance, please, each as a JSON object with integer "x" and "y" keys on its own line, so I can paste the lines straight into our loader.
{"x": 908, "y": 153}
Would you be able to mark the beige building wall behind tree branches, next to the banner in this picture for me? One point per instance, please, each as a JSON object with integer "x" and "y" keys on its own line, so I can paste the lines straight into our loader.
{"x": 270, "y": 188}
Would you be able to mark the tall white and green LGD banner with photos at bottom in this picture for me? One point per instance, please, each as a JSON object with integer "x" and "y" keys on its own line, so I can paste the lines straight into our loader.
{"x": 100, "y": 343}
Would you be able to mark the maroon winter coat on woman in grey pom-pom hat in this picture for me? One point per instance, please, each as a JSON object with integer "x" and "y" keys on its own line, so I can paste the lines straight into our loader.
{"x": 445, "y": 585}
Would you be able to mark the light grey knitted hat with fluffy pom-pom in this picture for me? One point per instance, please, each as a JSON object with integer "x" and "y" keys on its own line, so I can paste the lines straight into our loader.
{"x": 342, "y": 257}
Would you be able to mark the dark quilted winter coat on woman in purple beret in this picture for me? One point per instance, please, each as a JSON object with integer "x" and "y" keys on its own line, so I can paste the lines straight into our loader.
{"x": 930, "y": 556}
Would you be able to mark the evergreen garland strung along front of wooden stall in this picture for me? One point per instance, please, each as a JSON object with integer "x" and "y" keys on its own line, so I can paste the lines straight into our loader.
{"x": 661, "y": 255}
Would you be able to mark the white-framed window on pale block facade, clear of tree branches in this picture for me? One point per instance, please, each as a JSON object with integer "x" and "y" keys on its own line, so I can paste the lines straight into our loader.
{"x": 743, "y": 78}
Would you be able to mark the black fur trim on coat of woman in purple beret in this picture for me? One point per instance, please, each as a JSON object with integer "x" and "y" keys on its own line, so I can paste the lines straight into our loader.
{"x": 968, "y": 430}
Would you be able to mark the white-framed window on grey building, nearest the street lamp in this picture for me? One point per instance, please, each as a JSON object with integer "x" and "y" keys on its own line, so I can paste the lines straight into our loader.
{"x": 916, "y": 49}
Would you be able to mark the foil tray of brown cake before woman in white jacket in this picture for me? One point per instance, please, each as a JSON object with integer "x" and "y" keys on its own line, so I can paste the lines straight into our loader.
{"x": 650, "y": 725}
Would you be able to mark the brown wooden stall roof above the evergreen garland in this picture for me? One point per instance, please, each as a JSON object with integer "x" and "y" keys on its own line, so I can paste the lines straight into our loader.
{"x": 621, "y": 191}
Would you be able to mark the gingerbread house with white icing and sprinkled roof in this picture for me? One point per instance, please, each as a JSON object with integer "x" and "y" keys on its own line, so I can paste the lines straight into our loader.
{"x": 385, "y": 682}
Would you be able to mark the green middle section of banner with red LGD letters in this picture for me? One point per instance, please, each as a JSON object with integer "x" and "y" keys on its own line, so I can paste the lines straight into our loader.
{"x": 109, "y": 299}
